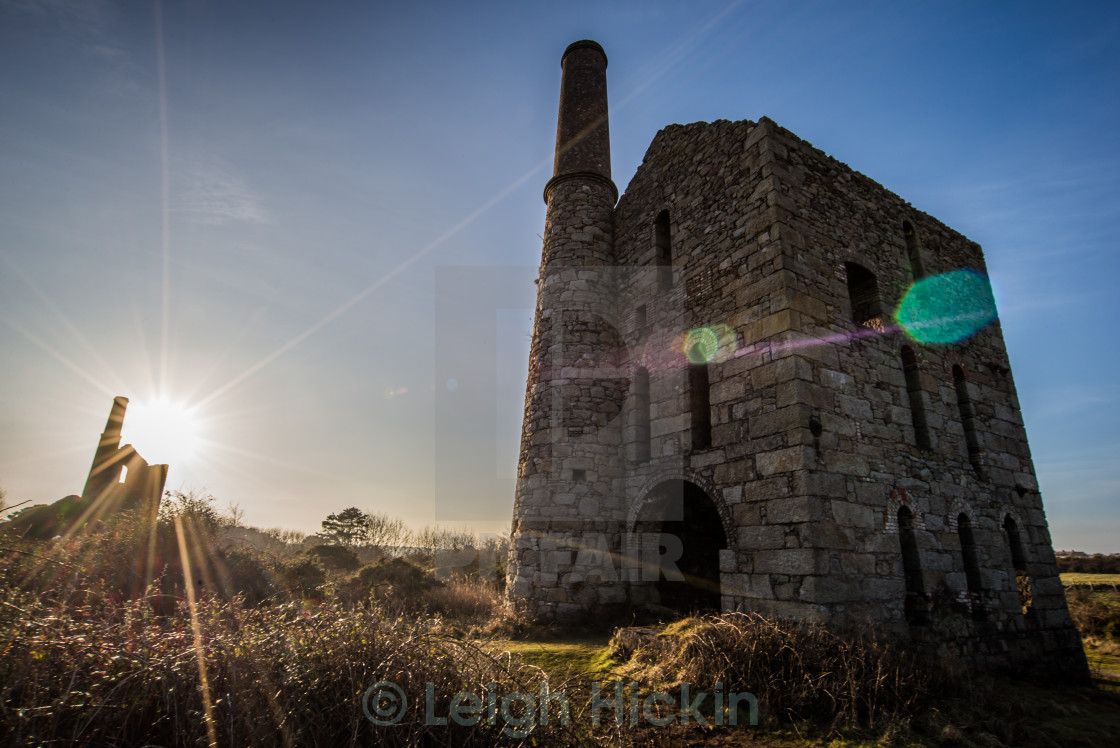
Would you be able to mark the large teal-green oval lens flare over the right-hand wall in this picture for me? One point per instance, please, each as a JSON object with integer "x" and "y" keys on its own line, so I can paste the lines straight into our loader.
{"x": 947, "y": 308}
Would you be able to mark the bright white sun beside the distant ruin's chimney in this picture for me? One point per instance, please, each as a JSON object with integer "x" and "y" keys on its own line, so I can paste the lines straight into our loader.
{"x": 164, "y": 432}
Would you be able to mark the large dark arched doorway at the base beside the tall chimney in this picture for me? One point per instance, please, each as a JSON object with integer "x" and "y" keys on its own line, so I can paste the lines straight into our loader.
{"x": 680, "y": 534}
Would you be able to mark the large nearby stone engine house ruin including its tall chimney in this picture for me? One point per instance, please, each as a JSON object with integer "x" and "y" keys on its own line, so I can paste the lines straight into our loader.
{"x": 722, "y": 413}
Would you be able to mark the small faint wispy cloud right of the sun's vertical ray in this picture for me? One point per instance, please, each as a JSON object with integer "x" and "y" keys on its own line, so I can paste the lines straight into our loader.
{"x": 210, "y": 192}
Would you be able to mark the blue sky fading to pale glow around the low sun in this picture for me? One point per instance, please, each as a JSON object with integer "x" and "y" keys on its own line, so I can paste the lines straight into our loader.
{"x": 256, "y": 227}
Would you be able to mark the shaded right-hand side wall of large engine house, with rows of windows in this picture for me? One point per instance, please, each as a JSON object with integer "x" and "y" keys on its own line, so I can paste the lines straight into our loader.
{"x": 869, "y": 462}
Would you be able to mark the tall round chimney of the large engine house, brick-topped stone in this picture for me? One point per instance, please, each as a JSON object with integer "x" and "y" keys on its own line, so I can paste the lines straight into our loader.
{"x": 572, "y": 466}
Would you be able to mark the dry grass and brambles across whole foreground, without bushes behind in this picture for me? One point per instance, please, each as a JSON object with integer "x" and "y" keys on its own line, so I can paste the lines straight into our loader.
{"x": 118, "y": 674}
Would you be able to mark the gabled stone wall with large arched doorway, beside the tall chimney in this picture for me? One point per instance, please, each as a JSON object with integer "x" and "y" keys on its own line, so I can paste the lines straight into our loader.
{"x": 727, "y": 253}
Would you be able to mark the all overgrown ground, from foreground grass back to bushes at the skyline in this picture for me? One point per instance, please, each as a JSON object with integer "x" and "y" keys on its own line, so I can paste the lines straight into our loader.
{"x": 91, "y": 656}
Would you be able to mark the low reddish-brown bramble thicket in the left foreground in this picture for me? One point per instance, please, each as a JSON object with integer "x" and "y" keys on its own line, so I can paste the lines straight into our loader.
{"x": 290, "y": 675}
